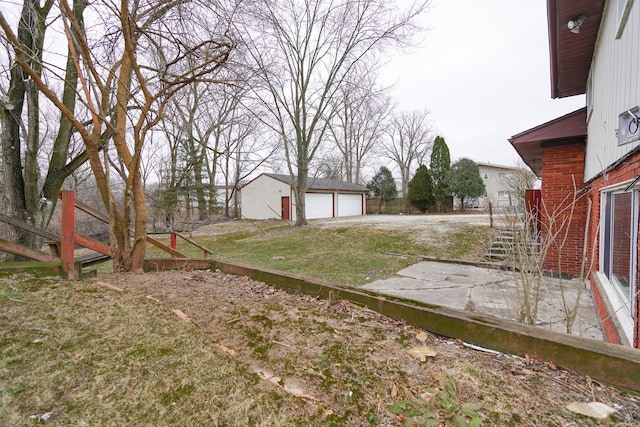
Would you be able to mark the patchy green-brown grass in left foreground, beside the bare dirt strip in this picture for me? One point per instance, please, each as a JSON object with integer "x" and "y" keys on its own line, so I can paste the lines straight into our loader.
{"x": 90, "y": 356}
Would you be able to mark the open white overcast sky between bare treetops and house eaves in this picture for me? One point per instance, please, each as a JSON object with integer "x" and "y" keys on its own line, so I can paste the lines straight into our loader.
{"x": 483, "y": 72}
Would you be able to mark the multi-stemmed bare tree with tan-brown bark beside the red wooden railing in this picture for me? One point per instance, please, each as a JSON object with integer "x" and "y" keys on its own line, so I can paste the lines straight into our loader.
{"x": 125, "y": 90}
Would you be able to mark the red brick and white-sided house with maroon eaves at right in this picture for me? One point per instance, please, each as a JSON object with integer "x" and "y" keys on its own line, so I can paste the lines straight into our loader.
{"x": 589, "y": 160}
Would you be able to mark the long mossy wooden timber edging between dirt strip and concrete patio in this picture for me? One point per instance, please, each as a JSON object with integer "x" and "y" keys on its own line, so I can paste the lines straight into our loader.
{"x": 609, "y": 363}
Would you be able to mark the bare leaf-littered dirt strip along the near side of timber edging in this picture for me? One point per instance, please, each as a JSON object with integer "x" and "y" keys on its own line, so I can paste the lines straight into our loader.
{"x": 350, "y": 366}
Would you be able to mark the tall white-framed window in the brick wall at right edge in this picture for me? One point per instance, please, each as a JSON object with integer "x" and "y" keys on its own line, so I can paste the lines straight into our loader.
{"x": 619, "y": 252}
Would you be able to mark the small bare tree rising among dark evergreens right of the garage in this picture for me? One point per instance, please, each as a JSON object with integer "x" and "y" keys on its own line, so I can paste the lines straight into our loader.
{"x": 409, "y": 141}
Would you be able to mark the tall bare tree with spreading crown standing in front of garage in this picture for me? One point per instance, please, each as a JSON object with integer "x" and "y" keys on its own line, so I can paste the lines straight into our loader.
{"x": 304, "y": 51}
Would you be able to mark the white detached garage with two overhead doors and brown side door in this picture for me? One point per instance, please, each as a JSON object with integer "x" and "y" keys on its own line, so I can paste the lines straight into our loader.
{"x": 270, "y": 196}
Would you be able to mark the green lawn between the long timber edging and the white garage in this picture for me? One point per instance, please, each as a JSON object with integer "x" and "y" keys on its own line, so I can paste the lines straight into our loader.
{"x": 350, "y": 255}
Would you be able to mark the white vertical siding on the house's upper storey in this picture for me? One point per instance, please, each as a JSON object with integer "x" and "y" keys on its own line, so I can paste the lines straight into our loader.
{"x": 614, "y": 88}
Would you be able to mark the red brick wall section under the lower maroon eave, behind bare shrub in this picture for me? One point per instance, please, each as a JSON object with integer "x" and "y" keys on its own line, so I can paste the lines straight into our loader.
{"x": 564, "y": 215}
